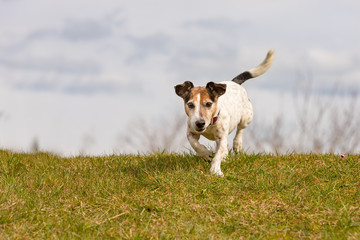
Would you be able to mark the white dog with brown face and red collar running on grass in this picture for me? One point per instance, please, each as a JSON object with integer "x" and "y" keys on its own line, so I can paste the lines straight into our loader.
{"x": 214, "y": 111}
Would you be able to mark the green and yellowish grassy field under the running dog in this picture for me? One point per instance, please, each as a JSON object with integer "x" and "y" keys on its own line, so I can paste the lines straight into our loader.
{"x": 173, "y": 196}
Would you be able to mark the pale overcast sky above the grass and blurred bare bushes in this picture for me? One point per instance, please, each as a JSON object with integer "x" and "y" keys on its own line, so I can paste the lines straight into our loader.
{"x": 74, "y": 75}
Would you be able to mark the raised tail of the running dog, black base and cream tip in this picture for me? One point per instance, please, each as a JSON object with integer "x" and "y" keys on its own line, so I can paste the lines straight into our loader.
{"x": 257, "y": 71}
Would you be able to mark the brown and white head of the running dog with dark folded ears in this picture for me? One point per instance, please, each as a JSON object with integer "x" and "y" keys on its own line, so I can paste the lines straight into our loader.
{"x": 200, "y": 103}
